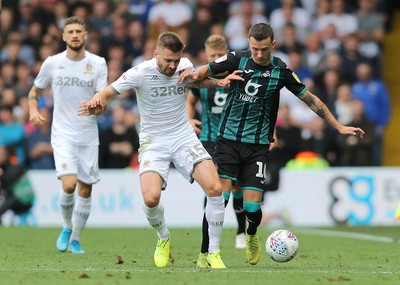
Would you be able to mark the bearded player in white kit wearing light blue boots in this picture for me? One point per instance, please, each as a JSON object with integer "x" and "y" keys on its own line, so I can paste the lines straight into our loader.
{"x": 74, "y": 75}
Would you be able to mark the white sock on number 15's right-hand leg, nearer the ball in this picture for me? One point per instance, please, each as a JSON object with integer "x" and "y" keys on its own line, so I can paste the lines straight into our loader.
{"x": 215, "y": 212}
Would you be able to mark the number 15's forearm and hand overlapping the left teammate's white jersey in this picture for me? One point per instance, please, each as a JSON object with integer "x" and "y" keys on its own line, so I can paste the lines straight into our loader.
{"x": 97, "y": 104}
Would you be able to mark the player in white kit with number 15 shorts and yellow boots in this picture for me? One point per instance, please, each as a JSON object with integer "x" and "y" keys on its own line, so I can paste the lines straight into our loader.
{"x": 167, "y": 137}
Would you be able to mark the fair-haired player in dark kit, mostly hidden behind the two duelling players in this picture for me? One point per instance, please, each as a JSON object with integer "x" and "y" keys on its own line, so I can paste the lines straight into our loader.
{"x": 212, "y": 101}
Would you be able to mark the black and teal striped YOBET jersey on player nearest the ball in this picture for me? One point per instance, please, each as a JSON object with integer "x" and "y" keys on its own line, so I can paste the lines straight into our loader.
{"x": 251, "y": 108}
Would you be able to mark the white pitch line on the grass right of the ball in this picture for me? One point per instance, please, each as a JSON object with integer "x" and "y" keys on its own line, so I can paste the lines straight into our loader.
{"x": 361, "y": 236}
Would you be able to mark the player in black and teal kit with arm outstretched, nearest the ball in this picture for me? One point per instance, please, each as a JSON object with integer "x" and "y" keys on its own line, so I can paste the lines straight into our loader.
{"x": 249, "y": 117}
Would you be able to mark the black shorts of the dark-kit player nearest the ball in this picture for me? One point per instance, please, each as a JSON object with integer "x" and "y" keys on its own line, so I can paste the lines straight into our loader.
{"x": 242, "y": 162}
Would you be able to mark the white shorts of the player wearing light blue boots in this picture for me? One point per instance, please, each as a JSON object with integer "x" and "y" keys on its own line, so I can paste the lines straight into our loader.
{"x": 81, "y": 161}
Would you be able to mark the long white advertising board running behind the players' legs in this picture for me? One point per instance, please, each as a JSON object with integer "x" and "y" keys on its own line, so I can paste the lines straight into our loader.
{"x": 356, "y": 196}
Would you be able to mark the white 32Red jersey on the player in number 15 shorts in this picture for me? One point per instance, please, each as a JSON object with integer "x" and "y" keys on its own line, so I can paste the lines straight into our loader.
{"x": 161, "y": 100}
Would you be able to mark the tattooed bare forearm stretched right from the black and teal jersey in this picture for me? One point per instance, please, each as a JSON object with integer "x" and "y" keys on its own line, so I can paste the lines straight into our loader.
{"x": 319, "y": 108}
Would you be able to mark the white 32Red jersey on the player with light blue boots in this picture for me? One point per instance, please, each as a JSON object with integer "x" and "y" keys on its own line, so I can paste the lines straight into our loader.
{"x": 73, "y": 82}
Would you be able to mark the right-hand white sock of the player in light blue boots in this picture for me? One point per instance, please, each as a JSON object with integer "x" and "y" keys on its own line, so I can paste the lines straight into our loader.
{"x": 80, "y": 217}
